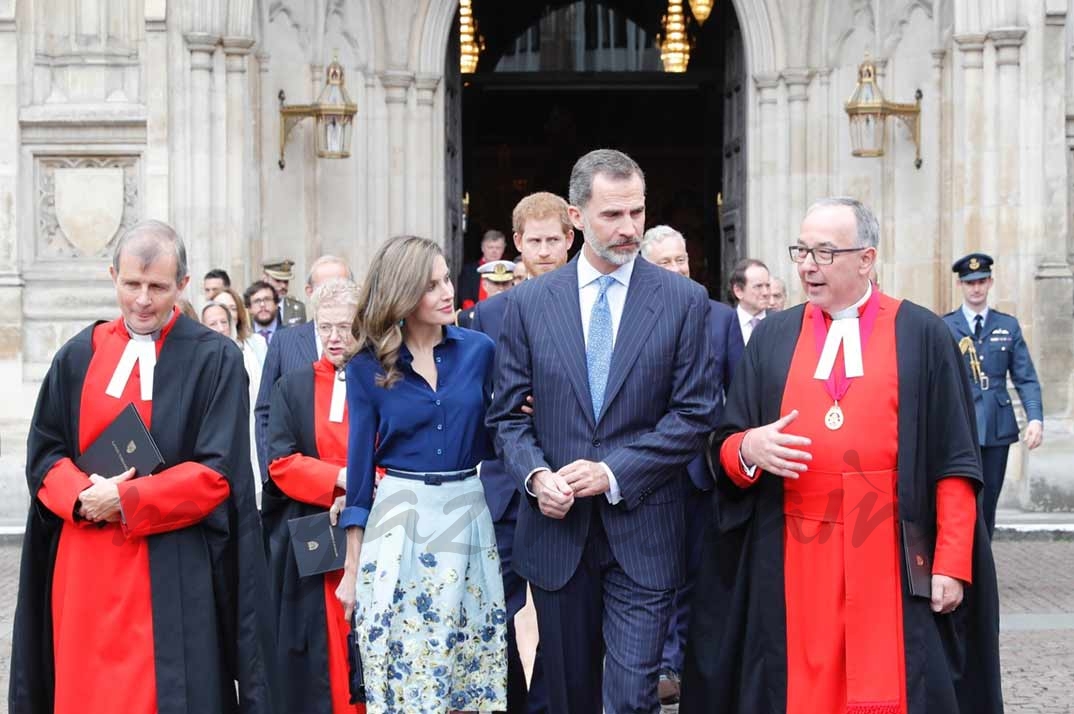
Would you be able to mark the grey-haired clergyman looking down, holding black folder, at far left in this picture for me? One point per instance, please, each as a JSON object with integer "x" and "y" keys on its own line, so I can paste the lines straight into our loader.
{"x": 176, "y": 557}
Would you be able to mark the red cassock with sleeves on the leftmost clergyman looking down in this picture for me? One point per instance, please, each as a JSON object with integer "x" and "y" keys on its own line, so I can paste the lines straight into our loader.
{"x": 103, "y": 607}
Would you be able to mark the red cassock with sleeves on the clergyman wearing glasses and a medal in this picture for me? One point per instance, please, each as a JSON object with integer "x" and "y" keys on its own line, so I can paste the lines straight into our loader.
{"x": 843, "y": 575}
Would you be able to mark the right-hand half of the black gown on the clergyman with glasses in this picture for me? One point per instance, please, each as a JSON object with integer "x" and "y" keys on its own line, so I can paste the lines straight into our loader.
{"x": 953, "y": 660}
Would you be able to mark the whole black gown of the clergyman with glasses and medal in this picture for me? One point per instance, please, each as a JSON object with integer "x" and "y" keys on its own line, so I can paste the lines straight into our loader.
{"x": 736, "y": 659}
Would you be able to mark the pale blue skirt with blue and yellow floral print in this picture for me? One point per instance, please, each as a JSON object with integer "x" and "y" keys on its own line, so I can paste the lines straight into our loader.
{"x": 431, "y": 622}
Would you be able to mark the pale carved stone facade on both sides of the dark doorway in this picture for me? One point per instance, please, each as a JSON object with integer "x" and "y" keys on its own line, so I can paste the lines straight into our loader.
{"x": 120, "y": 110}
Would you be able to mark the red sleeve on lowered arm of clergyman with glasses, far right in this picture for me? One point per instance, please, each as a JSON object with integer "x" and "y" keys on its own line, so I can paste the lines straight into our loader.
{"x": 956, "y": 519}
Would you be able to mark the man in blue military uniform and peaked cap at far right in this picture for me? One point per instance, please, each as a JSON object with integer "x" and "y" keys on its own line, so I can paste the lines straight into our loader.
{"x": 993, "y": 347}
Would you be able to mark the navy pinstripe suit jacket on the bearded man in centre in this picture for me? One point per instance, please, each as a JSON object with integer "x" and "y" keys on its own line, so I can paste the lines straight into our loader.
{"x": 660, "y": 402}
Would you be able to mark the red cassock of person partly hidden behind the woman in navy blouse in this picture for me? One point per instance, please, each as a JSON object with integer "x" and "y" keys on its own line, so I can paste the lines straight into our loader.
{"x": 313, "y": 480}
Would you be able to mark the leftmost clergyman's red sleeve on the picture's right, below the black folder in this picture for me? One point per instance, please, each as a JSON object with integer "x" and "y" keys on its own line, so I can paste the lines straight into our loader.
{"x": 176, "y": 499}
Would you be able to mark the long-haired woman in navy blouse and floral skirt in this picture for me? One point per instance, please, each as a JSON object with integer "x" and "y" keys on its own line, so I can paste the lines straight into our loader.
{"x": 423, "y": 573}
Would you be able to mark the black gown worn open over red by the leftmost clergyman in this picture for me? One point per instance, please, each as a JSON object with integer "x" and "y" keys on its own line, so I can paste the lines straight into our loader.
{"x": 213, "y": 637}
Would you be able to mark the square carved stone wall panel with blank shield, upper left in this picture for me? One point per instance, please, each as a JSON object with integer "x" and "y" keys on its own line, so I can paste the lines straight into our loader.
{"x": 84, "y": 205}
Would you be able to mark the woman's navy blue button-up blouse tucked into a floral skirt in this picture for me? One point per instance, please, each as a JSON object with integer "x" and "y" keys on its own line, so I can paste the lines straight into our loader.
{"x": 412, "y": 428}
